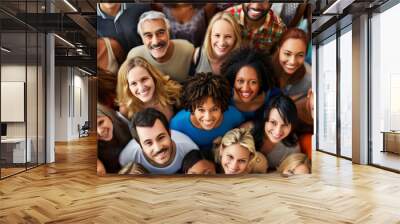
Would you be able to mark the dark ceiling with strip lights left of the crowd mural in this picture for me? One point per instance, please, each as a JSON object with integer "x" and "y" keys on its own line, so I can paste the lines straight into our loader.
{"x": 77, "y": 27}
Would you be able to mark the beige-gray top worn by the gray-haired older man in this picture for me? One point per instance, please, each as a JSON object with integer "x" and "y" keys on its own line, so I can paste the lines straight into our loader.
{"x": 177, "y": 67}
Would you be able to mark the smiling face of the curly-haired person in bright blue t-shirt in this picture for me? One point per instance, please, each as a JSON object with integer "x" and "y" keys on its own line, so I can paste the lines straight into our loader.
{"x": 208, "y": 115}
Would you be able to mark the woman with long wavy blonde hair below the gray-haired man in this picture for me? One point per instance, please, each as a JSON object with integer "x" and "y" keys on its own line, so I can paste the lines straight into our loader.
{"x": 140, "y": 86}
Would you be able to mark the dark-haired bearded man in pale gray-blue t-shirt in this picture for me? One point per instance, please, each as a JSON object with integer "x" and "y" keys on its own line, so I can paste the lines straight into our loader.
{"x": 158, "y": 149}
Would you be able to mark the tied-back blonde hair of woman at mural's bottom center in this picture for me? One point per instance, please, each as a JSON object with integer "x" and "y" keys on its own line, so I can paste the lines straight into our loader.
{"x": 241, "y": 136}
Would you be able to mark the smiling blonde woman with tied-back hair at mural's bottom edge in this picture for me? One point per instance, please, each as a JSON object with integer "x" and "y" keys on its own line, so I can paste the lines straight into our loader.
{"x": 236, "y": 153}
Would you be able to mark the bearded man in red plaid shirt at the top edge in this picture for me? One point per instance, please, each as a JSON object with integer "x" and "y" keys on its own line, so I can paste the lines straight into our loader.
{"x": 261, "y": 27}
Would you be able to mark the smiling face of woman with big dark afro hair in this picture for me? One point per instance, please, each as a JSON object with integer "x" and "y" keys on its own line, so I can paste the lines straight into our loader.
{"x": 246, "y": 84}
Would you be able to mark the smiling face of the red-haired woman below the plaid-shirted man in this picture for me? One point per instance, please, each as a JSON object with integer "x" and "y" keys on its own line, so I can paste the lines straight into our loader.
{"x": 292, "y": 55}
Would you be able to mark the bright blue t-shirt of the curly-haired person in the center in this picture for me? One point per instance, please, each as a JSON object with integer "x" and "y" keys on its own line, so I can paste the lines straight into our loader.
{"x": 204, "y": 138}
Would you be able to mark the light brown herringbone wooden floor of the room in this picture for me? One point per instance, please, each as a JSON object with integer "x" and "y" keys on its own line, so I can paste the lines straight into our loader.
{"x": 70, "y": 192}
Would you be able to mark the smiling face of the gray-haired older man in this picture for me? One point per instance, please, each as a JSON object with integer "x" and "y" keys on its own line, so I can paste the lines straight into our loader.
{"x": 156, "y": 38}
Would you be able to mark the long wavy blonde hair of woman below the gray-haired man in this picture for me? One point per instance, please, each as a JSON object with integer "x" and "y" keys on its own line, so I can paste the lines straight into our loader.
{"x": 167, "y": 92}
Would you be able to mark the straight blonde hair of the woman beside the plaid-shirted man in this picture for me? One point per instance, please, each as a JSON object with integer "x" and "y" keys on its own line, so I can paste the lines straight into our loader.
{"x": 236, "y": 30}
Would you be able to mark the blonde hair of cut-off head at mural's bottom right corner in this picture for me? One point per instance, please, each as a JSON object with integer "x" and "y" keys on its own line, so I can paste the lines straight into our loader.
{"x": 291, "y": 162}
